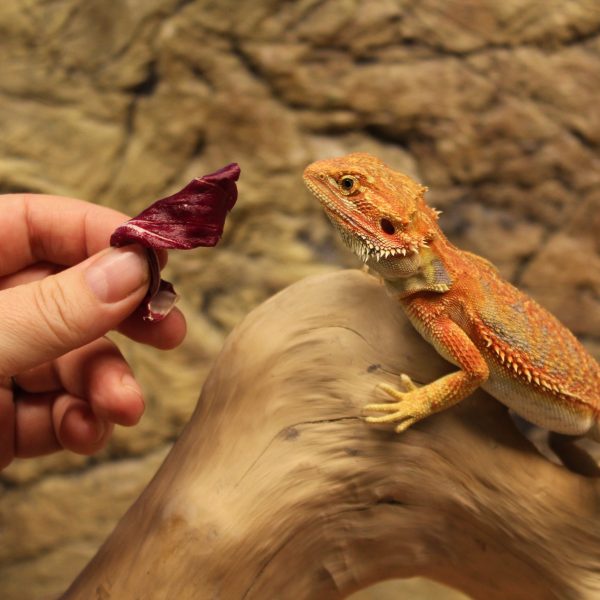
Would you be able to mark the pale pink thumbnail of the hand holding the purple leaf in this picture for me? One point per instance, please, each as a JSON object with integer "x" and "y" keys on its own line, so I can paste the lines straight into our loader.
{"x": 117, "y": 274}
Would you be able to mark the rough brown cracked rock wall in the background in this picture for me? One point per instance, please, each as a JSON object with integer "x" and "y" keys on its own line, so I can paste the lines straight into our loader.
{"x": 492, "y": 104}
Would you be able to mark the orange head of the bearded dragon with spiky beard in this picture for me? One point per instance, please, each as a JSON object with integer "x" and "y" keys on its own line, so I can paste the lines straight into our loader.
{"x": 381, "y": 214}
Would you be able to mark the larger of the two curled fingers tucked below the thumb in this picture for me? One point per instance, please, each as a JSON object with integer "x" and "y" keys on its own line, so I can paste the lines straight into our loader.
{"x": 99, "y": 374}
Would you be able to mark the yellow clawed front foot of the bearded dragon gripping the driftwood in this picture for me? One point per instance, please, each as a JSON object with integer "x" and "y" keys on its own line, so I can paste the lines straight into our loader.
{"x": 410, "y": 406}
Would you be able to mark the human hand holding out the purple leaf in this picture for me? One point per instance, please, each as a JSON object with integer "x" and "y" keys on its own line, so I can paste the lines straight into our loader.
{"x": 62, "y": 384}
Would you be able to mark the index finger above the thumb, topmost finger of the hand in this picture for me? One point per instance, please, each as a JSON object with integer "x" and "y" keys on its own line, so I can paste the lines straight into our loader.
{"x": 54, "y": 229}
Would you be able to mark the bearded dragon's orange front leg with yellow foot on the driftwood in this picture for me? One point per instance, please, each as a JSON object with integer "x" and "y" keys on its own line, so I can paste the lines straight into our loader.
{"x": 416, "y": 403}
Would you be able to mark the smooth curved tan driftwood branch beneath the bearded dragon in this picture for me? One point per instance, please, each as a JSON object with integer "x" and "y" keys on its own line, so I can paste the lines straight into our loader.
{"x": 277, "y": 489}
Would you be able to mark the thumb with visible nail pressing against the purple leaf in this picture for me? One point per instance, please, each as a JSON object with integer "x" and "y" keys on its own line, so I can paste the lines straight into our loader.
{"x": 47, "y": 318}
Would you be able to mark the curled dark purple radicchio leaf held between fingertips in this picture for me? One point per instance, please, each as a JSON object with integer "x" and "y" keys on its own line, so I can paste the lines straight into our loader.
{"x": 192, "y": 217}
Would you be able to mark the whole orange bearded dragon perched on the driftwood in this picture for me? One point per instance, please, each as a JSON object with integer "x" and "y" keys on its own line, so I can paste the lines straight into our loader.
{"x": 499, "y": 338}
